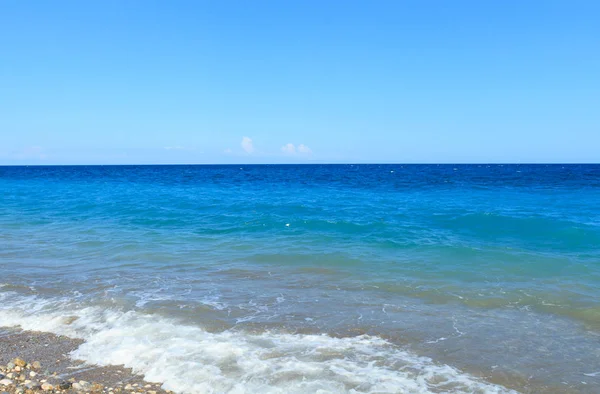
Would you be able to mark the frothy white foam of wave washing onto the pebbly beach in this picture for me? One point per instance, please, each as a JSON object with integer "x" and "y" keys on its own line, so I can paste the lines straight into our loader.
{"x": 188, "y": 359}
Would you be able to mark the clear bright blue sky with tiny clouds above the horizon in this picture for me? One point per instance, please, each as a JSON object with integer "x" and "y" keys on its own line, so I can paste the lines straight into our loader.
{"x": 326, "y": 81}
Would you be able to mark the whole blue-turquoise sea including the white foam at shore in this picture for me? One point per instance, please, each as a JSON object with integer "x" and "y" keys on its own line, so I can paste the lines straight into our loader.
{"x": 313, "y": 278}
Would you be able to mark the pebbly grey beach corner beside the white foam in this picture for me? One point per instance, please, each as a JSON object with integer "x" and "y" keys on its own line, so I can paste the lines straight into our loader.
{"x": 32, "y": 362}
